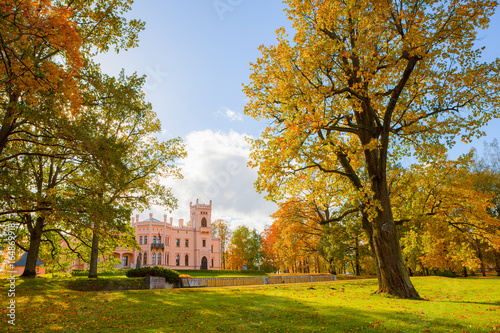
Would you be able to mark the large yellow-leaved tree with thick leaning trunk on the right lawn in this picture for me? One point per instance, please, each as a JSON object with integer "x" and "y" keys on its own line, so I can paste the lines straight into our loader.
{"x": 361, "y": 84}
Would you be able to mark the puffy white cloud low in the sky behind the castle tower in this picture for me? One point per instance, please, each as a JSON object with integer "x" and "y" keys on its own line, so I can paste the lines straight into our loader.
{"x": 216, "y": 169}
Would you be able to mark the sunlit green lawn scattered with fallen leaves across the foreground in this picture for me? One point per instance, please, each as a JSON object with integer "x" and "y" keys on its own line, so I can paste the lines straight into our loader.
{"x": 450, "y": 305}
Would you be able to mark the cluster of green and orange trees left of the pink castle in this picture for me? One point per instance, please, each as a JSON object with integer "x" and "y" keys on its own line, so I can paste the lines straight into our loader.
{"x": 78, "y": 148}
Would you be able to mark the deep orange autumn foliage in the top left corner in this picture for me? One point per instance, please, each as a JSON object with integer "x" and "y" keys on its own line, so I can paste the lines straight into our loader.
{"x": 40, "y": 52}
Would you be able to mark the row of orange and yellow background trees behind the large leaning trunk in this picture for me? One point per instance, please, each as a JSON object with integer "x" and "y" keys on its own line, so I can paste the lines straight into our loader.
{"x": 446, "y": 216}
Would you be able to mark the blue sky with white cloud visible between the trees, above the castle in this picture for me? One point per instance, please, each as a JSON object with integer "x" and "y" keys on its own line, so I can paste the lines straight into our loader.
{"x": 196, "y": 54}
